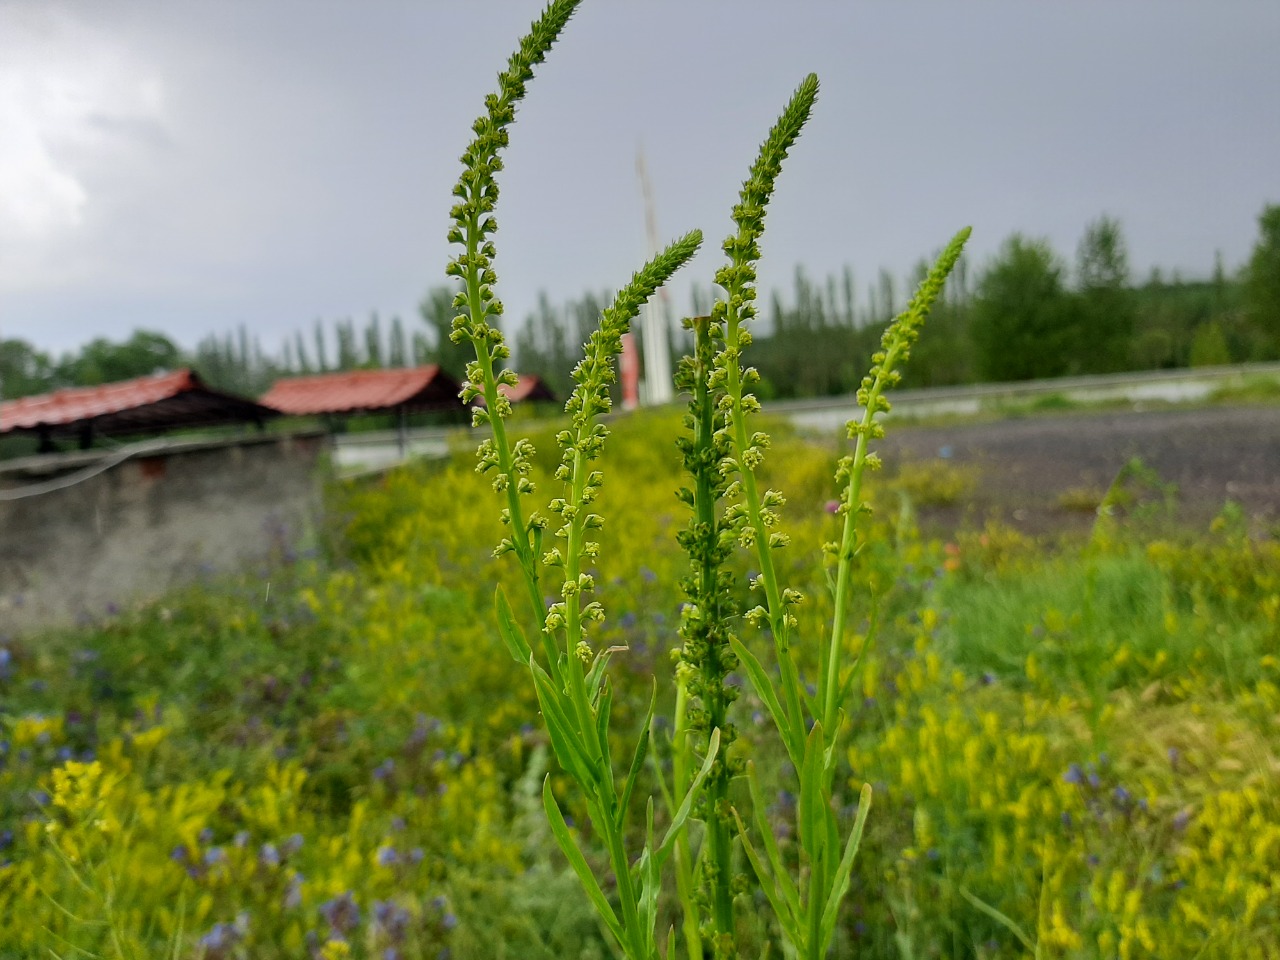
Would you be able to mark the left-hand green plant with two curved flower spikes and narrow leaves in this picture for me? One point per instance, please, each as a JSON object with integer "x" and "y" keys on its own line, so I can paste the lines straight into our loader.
{"x": 570, "y": 675}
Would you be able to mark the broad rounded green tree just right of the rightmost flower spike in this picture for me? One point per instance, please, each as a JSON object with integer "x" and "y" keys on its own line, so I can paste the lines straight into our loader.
{"x": 1023, "y": 314}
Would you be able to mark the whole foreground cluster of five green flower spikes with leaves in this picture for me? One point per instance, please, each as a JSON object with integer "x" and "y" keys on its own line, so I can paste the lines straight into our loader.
{"x": 723, "y": 456}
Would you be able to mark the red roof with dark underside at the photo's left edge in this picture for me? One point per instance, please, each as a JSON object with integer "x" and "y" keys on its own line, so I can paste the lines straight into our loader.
{"x": 157, "y": 403}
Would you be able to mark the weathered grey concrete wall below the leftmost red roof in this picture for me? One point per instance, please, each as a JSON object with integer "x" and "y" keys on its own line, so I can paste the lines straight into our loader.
{"x": 77, "y": 540}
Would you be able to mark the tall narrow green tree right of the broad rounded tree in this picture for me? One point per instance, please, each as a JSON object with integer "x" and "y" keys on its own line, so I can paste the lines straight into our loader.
{"x": 1105, "y": 324}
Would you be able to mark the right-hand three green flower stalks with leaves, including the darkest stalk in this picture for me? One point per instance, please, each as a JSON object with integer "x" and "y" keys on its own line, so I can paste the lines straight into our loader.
{"x": 724, "y": 456}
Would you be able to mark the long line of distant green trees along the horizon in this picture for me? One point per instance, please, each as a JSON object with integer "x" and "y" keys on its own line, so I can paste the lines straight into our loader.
{"x": 1027, "y": 314}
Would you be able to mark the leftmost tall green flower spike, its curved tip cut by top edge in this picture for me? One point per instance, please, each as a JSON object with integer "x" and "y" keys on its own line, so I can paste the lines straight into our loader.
{"x": 473, "y": 231}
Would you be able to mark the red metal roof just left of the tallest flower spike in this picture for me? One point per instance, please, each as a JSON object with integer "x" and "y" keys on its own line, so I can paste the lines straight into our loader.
{"x": 359, "y": 391}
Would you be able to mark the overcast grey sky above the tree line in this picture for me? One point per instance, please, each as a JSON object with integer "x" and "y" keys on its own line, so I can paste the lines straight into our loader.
{"x": 188, "y": 167}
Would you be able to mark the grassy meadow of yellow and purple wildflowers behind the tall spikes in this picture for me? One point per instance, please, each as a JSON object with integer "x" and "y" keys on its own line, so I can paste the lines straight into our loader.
{"x": 1072, "y": 744}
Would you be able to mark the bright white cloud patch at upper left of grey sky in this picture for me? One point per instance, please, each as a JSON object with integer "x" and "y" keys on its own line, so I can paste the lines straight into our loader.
{"x": 72, "y": 103}
